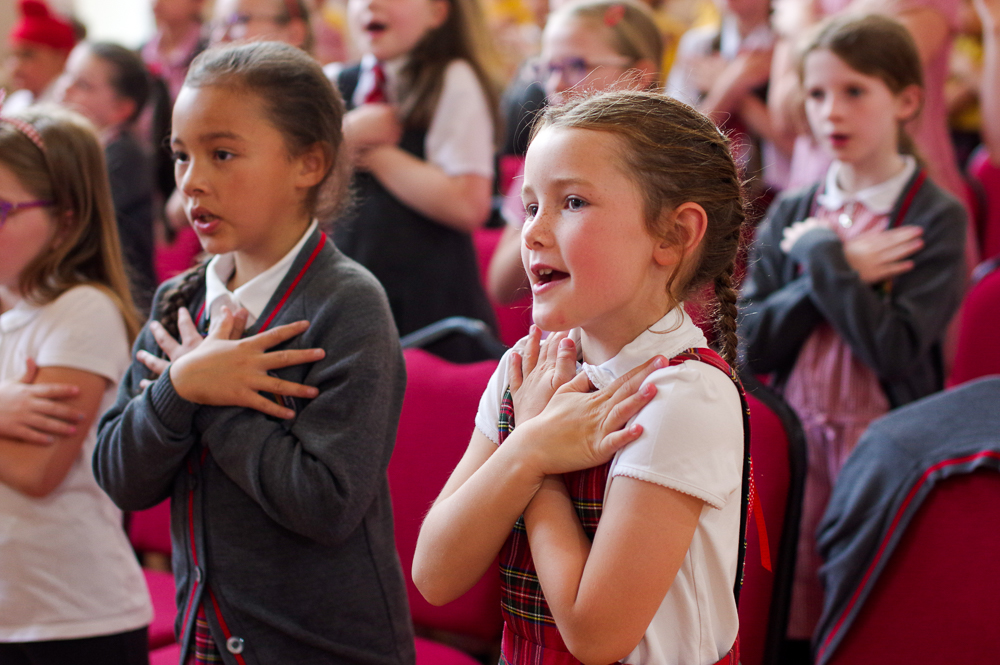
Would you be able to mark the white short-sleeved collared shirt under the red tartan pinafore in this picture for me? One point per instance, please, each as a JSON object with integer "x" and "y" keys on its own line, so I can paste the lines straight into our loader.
{"x": 692, "y": 442}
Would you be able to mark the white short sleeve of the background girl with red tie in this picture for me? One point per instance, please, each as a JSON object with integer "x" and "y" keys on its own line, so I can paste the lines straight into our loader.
{"x": 460, "y": 137}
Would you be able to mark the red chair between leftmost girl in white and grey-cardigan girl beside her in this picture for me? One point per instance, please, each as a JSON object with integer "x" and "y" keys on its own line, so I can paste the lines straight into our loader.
{"x": 149, "y": 531}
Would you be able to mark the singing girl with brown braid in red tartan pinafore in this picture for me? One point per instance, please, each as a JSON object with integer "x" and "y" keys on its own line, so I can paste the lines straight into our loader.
{"x": 616, "y": 512}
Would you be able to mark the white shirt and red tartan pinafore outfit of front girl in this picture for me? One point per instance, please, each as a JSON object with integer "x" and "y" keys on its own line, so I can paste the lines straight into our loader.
{"x": 692, "y": 442}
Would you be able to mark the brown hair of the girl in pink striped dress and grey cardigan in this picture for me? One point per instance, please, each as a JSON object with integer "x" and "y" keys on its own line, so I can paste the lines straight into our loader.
{"x": 873, "y": 45}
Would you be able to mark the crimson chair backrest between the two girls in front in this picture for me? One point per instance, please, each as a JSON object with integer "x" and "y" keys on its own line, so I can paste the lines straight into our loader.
{"x": 437, "y": 421}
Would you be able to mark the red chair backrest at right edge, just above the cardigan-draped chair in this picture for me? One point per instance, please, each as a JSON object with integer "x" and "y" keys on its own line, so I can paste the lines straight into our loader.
{"x": 977, "y": 352}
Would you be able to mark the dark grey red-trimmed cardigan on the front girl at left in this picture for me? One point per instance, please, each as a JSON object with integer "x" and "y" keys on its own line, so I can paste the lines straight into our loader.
{"x": 291, "y": 534}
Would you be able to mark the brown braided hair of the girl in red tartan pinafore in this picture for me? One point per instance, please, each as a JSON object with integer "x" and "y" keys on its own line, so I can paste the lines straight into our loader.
{"x": 676, "y": 155}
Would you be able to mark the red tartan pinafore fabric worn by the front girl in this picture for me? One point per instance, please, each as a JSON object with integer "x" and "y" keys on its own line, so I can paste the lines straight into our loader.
{"x": 530, "y": 636}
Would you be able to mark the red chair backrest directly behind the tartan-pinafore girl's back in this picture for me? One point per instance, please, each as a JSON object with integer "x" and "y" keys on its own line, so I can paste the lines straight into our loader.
{"x": 777, "y": 447}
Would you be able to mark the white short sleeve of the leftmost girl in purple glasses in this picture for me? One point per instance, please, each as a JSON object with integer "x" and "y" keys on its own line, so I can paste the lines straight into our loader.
{"x": 83, "y": 329}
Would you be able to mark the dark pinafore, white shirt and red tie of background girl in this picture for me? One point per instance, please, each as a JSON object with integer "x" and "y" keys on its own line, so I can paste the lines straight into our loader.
{"x": 429, "y": 270}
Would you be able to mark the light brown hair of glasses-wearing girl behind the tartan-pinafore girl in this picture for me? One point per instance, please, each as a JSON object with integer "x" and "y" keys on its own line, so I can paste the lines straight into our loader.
{"x": 630, "y": 26}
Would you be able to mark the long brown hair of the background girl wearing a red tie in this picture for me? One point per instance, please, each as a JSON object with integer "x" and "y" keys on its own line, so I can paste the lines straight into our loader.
{"x": 462, "y": 36}
